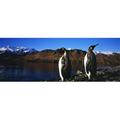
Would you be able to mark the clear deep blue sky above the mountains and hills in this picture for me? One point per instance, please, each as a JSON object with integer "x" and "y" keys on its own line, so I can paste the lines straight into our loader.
{"x": 105, "y": 44}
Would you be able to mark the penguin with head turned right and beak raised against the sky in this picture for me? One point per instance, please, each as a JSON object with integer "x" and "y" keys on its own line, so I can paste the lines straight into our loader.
{"x": 90, "y": 64}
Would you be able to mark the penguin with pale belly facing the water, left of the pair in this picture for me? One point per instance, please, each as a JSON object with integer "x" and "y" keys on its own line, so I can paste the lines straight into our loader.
{"x": 64, "y": 66}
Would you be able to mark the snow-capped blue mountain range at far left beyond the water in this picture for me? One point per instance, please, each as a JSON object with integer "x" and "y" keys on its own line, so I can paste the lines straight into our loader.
{"x": 16, "y": 50}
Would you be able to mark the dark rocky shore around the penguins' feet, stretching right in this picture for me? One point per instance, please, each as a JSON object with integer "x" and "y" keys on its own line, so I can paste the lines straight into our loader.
{"x": 103, "y": 74}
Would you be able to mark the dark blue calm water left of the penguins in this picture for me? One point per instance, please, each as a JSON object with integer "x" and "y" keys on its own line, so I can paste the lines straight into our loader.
{"x": 29, "y": 72}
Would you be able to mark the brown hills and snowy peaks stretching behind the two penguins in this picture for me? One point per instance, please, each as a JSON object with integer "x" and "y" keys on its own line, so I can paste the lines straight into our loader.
{"x": 21, "y": 54}
